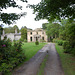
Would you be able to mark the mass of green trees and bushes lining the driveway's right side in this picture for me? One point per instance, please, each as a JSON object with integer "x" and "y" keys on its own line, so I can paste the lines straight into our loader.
{"x": 63, "y": 34}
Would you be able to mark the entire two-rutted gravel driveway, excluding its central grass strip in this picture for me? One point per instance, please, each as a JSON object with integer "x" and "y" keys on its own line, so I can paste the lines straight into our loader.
{"x": 53, "y": 65}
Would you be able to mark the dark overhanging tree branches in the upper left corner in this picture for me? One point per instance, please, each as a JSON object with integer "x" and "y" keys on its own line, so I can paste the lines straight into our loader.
{"x": 9, "y": 18}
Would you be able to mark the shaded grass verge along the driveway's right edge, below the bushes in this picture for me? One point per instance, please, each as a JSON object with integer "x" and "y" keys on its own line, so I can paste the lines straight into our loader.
{"x": 67, "y": 60}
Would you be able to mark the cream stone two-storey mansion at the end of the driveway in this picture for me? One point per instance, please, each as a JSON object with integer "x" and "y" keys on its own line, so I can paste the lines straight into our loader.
{"x": 36, "y": 35}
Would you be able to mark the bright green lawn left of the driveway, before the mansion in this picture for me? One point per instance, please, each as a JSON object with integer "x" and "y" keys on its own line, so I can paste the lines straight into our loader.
{"x": 30, "y": 49}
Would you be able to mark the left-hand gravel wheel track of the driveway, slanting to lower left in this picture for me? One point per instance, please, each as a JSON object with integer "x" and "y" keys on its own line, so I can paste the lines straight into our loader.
{"x": 32, "y": 66}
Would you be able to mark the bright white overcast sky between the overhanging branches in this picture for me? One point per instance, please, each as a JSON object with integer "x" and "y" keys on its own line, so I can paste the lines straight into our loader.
{"x": 28, "y": 20}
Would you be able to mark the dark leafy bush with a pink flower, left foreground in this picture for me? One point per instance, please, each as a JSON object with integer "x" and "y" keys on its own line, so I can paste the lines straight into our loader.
{"x": 10, "y": 55}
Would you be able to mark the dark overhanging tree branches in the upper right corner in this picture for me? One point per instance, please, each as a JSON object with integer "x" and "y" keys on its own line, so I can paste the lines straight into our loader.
{"x": 51, "y": 9}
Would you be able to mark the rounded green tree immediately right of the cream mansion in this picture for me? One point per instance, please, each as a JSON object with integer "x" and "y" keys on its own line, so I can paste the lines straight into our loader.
{"x": 53, "y": 30}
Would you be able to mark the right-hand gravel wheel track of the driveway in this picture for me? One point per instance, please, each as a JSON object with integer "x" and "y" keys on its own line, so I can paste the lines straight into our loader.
{"x": 53, "y": 64}
